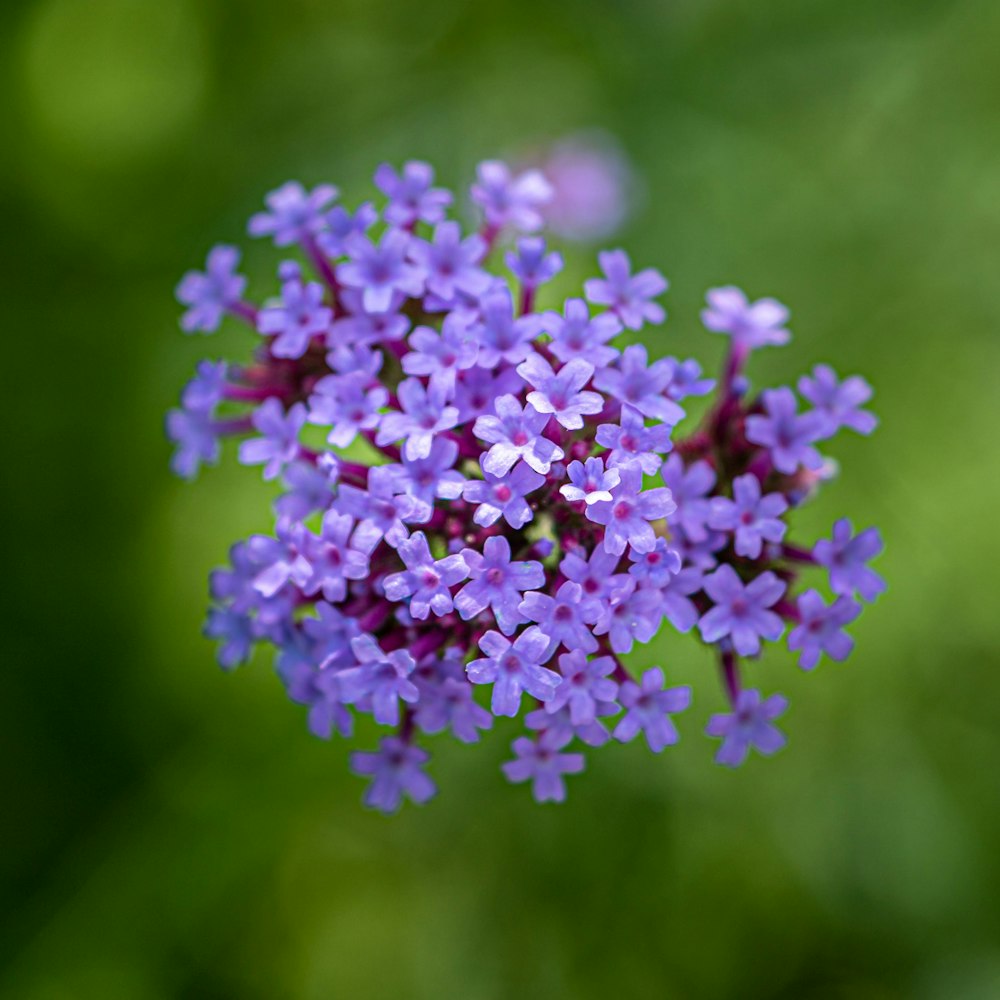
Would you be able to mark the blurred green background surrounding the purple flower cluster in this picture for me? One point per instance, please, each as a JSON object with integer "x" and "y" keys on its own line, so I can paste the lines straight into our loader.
{"x": 170, "y": 831}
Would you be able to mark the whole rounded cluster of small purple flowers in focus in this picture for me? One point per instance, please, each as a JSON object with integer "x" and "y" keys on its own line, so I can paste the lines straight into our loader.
{"x": 485, "y": 503}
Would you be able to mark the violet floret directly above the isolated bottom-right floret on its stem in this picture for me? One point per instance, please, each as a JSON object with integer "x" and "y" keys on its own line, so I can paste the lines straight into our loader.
{"x": 740, "y": 610}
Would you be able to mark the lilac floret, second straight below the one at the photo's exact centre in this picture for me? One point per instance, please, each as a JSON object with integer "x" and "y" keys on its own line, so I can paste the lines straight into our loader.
{"x": 512, "y": 668}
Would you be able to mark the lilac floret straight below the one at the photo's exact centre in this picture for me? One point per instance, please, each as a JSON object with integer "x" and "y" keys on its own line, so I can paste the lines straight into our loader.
{"x": 497, "y": 583}
